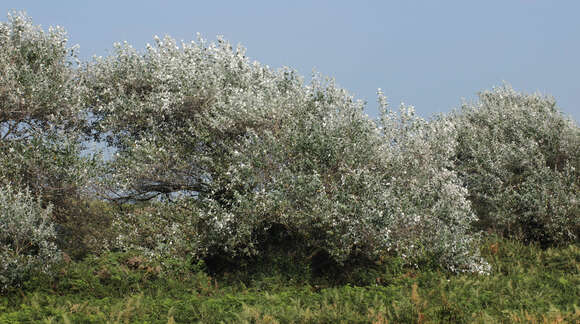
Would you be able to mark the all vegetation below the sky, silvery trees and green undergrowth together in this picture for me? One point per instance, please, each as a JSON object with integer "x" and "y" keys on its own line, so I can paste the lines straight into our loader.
{"x": 237, "y": 192}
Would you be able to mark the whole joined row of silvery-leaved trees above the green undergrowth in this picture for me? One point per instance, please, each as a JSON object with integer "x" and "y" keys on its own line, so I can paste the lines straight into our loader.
{"x": 214, "y": 153}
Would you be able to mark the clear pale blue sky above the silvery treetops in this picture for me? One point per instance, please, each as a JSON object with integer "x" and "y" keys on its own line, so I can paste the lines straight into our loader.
{"x": 429, "y": 54}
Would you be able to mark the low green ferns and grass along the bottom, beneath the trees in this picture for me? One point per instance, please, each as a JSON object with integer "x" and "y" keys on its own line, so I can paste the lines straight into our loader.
{"x": 528, "y": 285}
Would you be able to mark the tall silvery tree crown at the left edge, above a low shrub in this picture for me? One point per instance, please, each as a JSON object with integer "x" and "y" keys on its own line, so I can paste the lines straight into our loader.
{"x": 40, "y": 110}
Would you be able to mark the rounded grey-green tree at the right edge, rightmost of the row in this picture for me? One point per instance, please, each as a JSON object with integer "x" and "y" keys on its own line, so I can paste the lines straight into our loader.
{"x": 519, "y": 157}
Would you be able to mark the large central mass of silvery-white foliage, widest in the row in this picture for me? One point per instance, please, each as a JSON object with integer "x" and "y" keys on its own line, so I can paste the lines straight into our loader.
{"x": 238, "y": 148}
